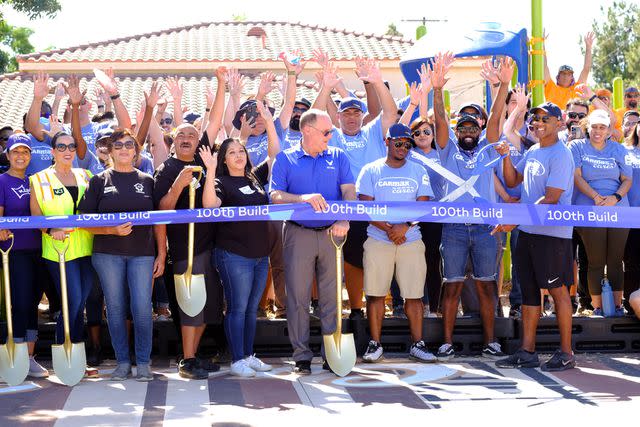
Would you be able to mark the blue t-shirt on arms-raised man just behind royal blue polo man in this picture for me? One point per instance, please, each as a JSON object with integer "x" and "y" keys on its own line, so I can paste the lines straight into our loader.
{"x": 364, "y": 147}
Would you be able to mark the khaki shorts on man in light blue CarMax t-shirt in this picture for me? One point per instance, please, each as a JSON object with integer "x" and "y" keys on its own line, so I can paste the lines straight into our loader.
{"x": 380, "y": 260}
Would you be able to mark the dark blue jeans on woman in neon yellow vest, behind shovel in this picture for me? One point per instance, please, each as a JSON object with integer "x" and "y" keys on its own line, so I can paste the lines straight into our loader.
{"x": 80, "y": 276}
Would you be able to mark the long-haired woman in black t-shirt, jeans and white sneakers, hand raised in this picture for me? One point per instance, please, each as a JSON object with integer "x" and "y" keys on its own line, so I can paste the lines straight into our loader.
{"x": 242, "y": 248}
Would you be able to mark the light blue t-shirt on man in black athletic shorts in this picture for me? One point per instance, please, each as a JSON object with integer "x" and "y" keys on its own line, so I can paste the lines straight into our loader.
{"x": 543, "y": 167}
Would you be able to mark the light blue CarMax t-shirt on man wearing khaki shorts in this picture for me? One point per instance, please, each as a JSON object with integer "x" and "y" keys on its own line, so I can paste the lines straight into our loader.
{"x": 387, "y": 184}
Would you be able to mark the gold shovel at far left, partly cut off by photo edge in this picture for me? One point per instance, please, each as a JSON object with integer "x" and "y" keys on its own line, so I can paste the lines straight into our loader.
{"x": 14, "y": 357}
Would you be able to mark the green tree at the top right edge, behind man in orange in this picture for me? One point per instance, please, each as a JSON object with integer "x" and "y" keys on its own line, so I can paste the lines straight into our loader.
{"x": 617, "y": 48}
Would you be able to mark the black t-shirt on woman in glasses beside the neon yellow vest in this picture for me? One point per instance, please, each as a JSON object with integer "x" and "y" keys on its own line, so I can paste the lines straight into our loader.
{"x": 116, "y": 192}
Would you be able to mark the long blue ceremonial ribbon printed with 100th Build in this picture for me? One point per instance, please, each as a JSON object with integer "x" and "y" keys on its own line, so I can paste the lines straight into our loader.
{"x": 395, "y": 212}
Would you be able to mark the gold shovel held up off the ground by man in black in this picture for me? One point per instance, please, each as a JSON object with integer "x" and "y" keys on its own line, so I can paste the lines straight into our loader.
{"x": 191, "y": 291}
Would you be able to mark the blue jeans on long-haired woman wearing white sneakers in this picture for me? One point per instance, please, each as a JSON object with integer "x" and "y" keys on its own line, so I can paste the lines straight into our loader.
{"x": 243, "y": 280}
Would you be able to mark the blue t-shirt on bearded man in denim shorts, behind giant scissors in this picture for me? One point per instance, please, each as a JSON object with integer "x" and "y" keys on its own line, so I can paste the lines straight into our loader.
{"x": 465, "y": 164}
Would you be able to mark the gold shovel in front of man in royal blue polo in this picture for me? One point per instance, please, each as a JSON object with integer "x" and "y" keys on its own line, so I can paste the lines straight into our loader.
{"x": 339, "y": 348}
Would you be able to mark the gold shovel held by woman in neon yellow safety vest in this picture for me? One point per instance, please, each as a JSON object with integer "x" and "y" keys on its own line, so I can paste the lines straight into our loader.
{"x": 69, "y": 359}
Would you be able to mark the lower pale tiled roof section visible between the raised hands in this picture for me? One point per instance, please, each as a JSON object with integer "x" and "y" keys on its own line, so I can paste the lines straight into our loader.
{"x": 16, "y": 93}
